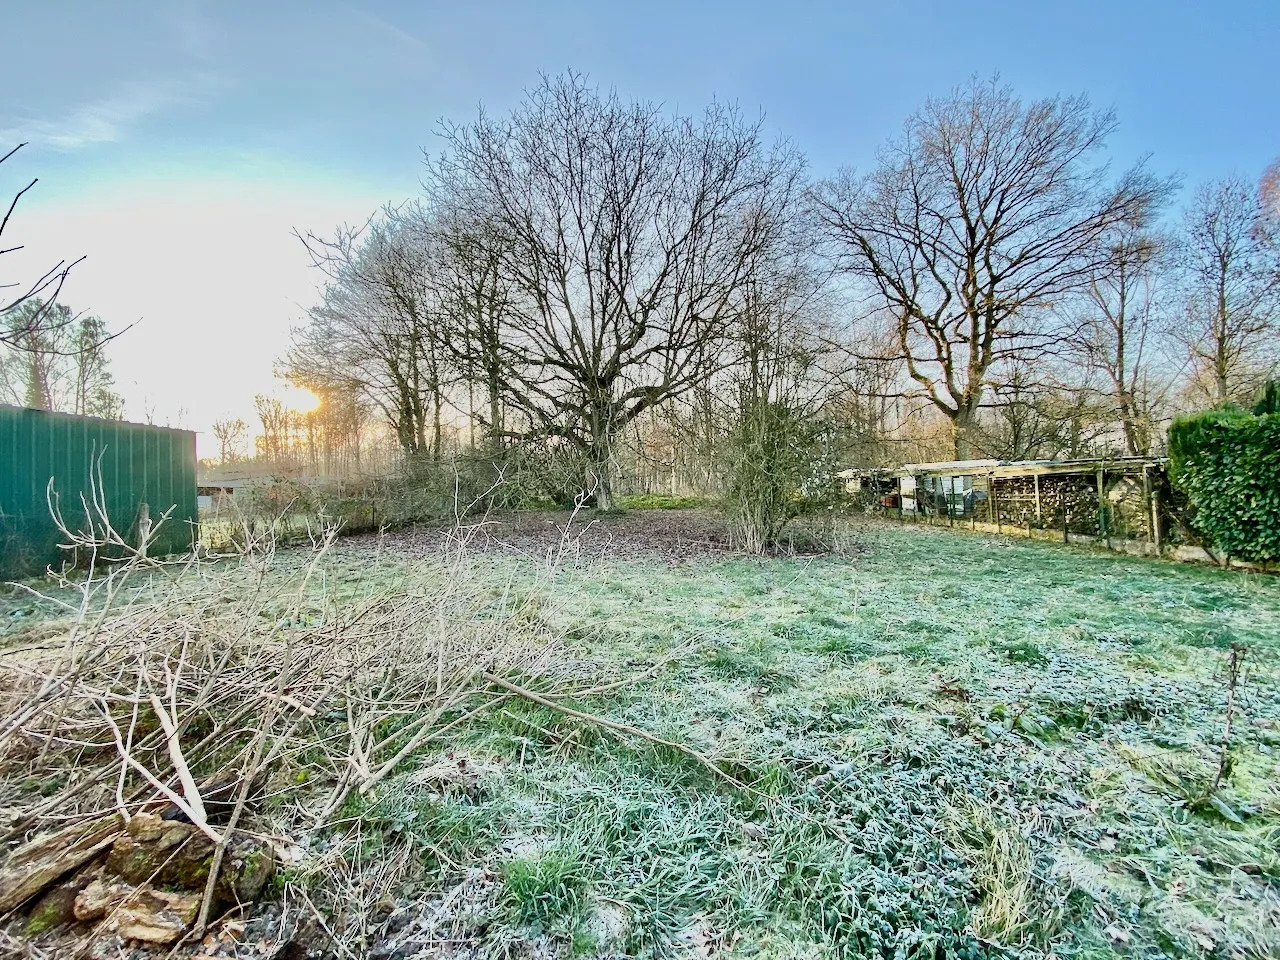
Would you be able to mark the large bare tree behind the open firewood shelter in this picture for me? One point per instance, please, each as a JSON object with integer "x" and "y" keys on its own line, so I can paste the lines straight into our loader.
{"x": 984, "y": 214}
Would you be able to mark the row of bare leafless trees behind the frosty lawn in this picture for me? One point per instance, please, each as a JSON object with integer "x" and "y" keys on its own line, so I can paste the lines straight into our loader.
{"x": 668, "y": 303}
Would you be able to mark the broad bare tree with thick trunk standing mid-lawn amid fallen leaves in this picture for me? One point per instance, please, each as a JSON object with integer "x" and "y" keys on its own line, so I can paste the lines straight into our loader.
{"x": 625, "y": 236}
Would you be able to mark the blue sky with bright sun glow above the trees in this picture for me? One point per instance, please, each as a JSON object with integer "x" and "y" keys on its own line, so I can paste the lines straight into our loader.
{"x": 181, "y": 144}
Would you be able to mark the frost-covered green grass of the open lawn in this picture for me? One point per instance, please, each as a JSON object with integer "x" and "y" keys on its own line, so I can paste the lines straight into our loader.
{"x": 935, "y": 744}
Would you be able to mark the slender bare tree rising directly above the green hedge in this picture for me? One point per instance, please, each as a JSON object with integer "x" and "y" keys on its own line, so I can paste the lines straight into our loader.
{"x": 1232, "y": 276}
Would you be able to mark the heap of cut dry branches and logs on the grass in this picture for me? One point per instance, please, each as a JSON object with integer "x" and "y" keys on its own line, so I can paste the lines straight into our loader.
{"x": 198, "y": 724}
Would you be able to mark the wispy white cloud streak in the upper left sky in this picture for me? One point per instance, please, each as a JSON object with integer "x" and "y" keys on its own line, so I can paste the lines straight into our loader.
{"x": 109, "y": 120}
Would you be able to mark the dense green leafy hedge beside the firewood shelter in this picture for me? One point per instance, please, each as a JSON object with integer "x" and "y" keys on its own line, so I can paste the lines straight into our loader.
{"x": 1228, "y": 464}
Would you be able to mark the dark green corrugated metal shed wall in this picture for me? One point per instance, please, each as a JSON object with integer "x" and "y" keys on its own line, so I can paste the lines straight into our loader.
{"x": 138, "y": 464}
